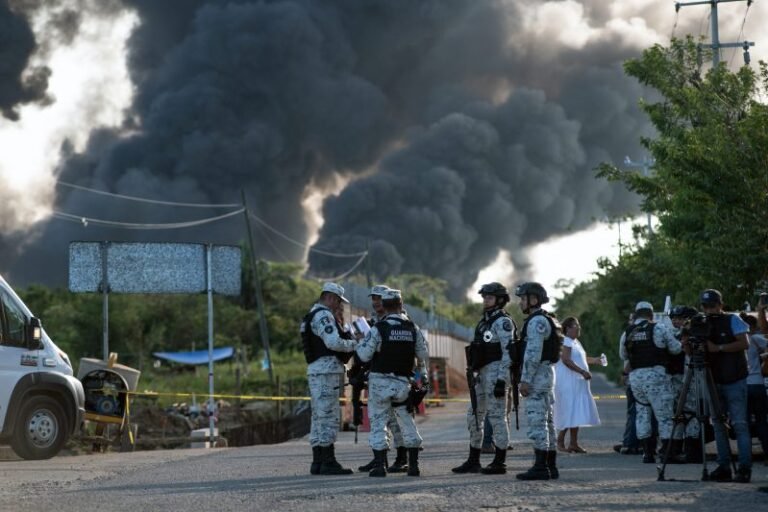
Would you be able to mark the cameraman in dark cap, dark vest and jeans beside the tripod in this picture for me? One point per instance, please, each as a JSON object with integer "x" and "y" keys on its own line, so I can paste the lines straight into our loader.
{"x": 725, "y": 348}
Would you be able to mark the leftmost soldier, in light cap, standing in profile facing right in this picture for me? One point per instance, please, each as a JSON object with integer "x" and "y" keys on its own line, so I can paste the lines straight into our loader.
{"x": 326, "y": 352}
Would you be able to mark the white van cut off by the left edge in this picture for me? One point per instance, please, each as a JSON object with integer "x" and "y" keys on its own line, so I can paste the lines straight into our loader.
{"x": 41, "y": 402}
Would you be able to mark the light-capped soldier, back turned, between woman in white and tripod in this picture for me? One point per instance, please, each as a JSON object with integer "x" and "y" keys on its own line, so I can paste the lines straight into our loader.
{"x": 645, "y": 347}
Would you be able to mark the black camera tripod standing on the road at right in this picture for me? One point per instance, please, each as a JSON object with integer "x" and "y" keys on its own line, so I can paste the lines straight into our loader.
{"x": 698, "y": 380}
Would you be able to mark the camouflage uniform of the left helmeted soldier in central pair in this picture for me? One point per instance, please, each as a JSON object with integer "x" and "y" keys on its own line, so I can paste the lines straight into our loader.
{"x": 500, "y": 331}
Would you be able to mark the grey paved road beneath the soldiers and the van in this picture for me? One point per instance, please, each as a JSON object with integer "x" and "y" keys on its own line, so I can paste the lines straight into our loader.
{"x": 275, "y": 478}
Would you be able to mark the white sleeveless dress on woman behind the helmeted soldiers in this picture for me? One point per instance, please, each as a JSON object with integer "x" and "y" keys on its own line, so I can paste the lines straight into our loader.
{"x": 574, "y": 404}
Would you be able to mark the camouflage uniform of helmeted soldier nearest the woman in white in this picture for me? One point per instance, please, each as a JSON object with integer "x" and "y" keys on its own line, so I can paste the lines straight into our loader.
{"x": 540, "y": 377}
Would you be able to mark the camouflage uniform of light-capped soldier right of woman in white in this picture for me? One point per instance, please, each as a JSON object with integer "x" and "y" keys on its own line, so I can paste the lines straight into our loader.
{"x": 651, "y": 386}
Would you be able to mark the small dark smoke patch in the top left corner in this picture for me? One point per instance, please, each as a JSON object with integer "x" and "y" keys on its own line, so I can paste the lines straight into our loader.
{"x": 17, "y": 44}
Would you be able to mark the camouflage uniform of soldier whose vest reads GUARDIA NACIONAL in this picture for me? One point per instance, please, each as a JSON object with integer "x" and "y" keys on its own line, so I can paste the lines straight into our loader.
{"x": 386, "y": 389}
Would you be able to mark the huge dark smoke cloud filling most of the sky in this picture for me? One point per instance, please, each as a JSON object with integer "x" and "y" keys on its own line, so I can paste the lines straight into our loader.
{"x": 461, "y": 133}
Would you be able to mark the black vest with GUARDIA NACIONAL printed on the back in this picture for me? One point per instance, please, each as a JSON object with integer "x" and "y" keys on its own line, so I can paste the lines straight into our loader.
{"x": 398, "y": 347}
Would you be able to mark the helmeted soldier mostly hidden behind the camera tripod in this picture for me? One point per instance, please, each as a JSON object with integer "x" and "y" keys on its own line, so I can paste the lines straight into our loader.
{"x": 676, "y": 369}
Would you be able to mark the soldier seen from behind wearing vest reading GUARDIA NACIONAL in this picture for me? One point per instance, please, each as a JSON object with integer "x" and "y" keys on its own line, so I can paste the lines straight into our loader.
{"x": 391, "y": 346}
